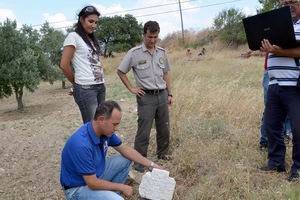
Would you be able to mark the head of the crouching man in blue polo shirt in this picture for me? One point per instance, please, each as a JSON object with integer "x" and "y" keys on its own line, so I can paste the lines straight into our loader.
{"x": 107, "y": 118}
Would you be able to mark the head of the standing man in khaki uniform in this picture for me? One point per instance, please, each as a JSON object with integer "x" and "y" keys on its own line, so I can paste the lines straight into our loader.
{"x": 151, "y": 31}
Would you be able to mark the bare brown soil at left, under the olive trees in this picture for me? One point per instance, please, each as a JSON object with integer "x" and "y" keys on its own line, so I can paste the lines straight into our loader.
{"x": 31, "y": 142}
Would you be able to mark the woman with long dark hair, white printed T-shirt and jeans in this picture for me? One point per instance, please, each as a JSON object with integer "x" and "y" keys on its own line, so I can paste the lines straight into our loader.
{"x": 81, "y": 64}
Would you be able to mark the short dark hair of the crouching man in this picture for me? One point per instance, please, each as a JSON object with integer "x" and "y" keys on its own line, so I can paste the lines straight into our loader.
{"x": 106, "y": 108}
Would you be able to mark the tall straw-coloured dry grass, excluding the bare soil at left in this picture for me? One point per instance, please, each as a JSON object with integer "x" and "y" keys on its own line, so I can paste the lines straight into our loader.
{"x": 215, "y": 128}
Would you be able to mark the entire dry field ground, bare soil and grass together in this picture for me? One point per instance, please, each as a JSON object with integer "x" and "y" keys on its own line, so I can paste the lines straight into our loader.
{"x": 215, "y": 123}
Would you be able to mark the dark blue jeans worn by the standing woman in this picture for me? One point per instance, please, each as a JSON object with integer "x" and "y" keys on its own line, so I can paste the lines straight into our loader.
{"x": 88, "y": 97}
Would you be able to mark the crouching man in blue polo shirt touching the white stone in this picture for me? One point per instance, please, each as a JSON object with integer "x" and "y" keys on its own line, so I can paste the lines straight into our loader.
{"x": 86, "y": 173}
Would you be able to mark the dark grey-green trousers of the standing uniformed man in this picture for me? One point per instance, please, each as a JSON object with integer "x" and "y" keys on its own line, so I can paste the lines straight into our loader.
{"x": 153, "y": 106}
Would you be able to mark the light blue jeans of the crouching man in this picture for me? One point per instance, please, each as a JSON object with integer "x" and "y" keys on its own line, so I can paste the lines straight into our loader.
{"x": 116, "y": 170}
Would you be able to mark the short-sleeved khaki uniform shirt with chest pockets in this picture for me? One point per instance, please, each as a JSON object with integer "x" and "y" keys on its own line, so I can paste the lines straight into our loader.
{"x": 148, "y": 69}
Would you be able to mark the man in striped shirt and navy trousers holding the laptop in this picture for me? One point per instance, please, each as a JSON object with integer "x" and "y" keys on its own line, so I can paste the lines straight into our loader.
{"x": 283, "y": 98}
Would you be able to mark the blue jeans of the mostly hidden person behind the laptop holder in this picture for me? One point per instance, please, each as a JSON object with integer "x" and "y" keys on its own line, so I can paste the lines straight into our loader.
{"x": 287, "y": 124}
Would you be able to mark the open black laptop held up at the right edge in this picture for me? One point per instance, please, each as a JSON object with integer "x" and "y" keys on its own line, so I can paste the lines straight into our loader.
{"x": 275, "y": 25}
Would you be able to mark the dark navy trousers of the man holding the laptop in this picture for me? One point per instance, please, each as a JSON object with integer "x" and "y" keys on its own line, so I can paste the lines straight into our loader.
{"x": 282, "y": 101}
